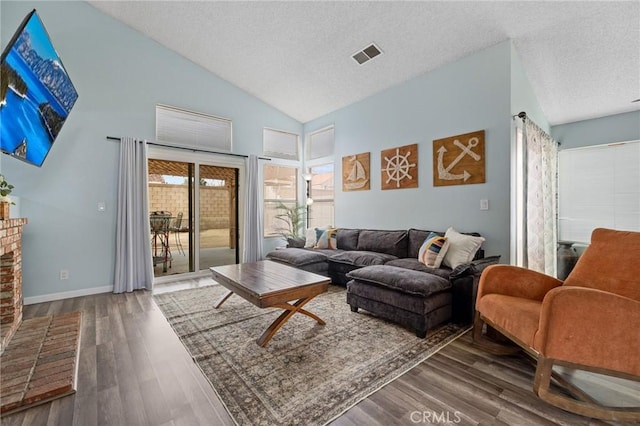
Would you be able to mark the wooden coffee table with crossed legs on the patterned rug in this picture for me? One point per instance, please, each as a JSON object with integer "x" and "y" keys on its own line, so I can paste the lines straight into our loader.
{"x": 269, "y": 284}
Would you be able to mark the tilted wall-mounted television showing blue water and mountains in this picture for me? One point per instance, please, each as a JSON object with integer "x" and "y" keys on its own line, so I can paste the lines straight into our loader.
{"x": 36, "y": 94}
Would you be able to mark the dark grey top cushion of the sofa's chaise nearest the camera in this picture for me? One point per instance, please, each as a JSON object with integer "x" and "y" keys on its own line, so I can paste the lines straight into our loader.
{"x": 400, "y": 279}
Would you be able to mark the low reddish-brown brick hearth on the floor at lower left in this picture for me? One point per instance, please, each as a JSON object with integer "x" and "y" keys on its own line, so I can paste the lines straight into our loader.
{"x": 40, "y": 362}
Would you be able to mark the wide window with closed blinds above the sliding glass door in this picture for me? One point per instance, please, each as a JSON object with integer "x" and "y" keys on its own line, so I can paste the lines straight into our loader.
{"x": 190, "y": 129}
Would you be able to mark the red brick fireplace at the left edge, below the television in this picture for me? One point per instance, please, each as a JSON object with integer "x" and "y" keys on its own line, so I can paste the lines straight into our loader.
{"x": 10, "y": 278}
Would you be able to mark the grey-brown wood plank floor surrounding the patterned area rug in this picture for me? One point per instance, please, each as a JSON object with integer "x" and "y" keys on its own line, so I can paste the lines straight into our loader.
{"x": 134, "y": 371}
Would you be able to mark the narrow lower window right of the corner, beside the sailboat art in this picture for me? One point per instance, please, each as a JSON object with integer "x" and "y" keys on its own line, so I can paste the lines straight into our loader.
{"x": 321, "y": 211}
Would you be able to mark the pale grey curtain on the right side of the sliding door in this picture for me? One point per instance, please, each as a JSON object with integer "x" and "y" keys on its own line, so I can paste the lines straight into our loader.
{"x": 252, "y": 236}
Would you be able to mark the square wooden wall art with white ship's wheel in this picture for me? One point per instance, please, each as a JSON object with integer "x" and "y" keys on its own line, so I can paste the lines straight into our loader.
{"x": 399, "y": 167}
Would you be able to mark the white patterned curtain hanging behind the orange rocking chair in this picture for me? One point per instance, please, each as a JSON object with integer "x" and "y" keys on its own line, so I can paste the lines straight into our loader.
{"x": 541, "y": 157}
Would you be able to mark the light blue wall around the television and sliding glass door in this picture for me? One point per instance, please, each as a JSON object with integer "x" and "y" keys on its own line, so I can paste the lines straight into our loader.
{"x": 120, "y": 75}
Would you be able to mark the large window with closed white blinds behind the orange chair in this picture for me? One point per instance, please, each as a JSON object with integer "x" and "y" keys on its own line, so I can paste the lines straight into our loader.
{"x": 598, "y": 186}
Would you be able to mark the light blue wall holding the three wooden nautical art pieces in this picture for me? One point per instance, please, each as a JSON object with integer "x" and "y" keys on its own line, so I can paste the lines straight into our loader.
{"x": 468, "y": 95}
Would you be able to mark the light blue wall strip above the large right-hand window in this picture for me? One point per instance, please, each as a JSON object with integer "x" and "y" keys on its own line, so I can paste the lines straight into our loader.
{"x": 614, "y": 128}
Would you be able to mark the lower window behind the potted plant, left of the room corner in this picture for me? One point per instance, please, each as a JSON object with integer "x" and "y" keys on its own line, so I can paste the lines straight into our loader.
{"x": 280, "y": 187}
